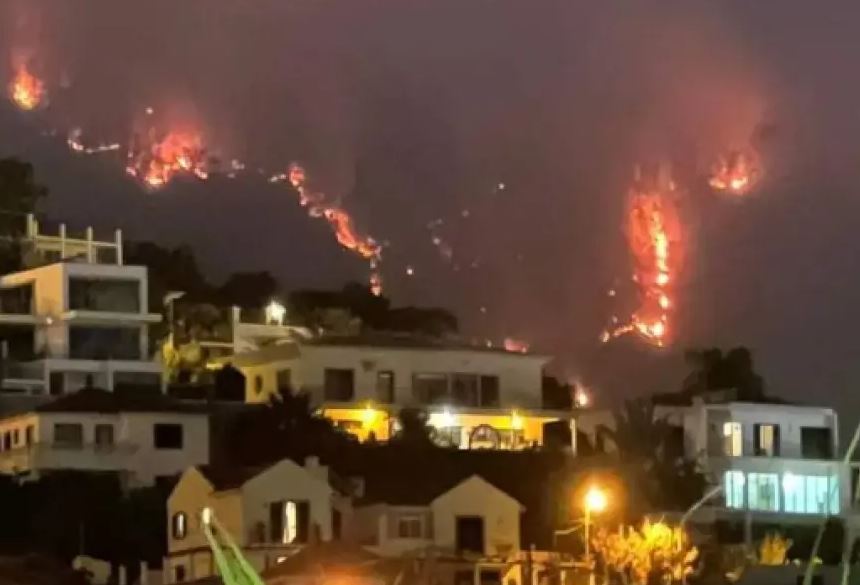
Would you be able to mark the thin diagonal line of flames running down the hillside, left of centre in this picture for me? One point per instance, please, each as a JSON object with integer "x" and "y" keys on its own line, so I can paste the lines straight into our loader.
{"x": 341, "y": 222}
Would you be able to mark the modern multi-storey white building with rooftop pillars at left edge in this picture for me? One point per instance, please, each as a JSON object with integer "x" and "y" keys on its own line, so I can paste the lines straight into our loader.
{"x": 85, "y": 315}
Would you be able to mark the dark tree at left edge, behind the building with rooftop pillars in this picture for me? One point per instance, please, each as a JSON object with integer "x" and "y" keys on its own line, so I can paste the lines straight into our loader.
{"x": 19, "y": 193}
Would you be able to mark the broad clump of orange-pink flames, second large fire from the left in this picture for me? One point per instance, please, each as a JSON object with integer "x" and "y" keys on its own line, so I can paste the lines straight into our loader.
{"x": 159, "y": 161}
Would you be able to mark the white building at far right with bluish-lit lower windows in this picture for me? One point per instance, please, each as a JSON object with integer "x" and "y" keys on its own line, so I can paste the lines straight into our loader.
{"x": 771, "y": 459}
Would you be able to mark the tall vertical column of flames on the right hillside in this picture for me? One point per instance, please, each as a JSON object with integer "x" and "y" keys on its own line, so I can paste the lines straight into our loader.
{"x": 654, "y": 237}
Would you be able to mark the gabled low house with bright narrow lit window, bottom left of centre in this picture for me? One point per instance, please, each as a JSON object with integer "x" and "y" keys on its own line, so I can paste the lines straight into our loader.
{"x": 271, "y": 513}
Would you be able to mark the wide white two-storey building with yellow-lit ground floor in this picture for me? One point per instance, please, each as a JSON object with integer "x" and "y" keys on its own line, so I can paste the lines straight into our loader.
{"x": 476, "y": 397}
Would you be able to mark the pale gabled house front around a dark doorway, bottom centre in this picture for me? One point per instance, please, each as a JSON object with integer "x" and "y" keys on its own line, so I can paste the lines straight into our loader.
{"x": 476, "y": 497}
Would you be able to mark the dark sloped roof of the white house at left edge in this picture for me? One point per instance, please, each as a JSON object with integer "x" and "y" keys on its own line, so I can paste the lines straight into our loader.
{"x": 96, "y": 400}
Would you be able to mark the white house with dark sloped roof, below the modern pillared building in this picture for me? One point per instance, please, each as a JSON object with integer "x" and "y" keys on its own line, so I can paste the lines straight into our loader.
{"x": 142, "y": 435}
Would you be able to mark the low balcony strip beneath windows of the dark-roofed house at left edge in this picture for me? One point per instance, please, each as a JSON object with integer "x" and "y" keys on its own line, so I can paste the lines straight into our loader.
{"x": 81, "y": 457}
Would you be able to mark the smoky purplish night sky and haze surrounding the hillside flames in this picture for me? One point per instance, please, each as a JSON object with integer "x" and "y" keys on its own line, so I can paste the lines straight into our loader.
{"x": 517, "y": 124}
